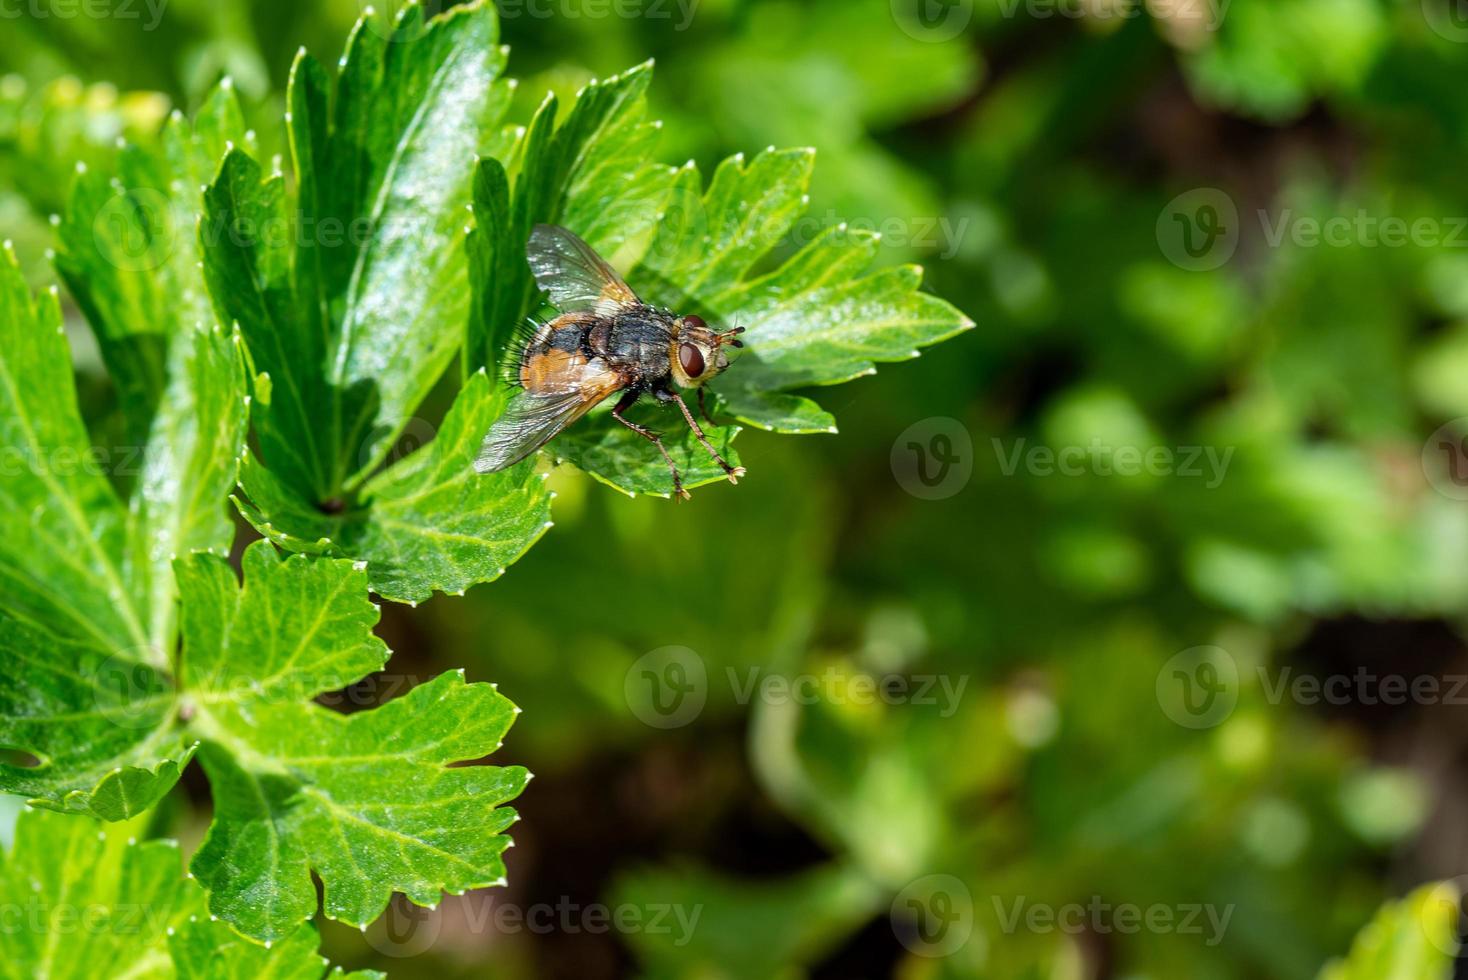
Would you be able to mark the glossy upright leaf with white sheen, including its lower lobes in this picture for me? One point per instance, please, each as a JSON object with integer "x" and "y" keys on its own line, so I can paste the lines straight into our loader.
{"x": 353, "y": 325}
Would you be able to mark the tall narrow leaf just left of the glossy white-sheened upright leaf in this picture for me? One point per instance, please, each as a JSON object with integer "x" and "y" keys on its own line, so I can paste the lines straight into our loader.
{"x": 128, "y": 253}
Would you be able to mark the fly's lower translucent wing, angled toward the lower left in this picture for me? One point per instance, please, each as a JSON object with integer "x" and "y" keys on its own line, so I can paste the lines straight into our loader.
{"x": 563, "y": 391}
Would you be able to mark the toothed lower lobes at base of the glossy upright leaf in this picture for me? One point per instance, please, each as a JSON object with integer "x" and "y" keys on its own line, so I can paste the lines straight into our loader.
{"x": 428, "y": 522}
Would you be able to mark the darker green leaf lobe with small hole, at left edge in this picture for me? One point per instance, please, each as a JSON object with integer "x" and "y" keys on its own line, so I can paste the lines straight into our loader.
{"x": 98, "y": 724}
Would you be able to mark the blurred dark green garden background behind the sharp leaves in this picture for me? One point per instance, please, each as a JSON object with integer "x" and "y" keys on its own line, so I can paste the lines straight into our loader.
{"x": 1228, "y": 240}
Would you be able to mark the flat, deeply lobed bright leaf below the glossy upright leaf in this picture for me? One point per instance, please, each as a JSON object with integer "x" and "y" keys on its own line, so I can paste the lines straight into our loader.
{"x": 366, "y": 800}
